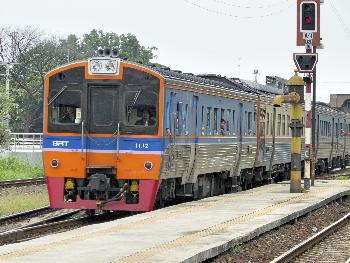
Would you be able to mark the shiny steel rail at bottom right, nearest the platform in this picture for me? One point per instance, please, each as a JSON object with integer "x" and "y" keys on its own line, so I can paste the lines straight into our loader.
{"x": 302, "y": 247}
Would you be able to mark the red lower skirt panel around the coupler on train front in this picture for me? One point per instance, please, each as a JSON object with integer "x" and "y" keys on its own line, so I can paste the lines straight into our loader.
{"x": 147, "y": 195}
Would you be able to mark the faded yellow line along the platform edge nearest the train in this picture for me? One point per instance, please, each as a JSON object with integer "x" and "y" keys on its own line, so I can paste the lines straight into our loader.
{"x": 118, "y": 228}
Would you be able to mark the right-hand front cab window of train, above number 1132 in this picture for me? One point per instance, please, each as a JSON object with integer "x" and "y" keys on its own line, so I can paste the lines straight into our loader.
{"x": 141, "y": 108}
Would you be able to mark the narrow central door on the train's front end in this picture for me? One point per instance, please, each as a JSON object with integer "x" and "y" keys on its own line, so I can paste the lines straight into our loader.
{"x": 102, "y": 120}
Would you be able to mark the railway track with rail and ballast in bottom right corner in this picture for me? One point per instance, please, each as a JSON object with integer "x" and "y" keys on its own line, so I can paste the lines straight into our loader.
{"x": 332, "y": 244}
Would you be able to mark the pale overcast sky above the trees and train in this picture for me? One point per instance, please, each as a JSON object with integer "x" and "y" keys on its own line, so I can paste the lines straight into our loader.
{"x": 227, "y": 37}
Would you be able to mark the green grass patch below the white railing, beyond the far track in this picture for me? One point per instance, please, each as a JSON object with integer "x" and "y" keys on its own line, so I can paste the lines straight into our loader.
{"x": 13, "y": 168}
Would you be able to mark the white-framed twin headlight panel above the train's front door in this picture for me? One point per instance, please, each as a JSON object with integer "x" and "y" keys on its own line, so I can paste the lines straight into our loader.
{"x": 104, "y": 66}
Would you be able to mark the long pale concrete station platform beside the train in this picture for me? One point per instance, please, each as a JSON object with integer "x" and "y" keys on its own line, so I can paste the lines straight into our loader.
{"x": 189, "y": 232}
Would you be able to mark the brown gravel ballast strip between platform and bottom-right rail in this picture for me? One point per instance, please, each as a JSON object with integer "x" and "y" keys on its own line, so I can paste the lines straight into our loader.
{"x": 274, "y": 243}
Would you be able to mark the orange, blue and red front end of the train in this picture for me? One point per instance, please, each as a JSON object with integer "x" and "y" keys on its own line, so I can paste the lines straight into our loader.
{"x": 102, "y": 135}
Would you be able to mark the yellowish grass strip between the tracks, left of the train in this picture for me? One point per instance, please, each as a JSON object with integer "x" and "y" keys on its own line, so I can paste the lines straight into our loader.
{"x": 12, "y": 200}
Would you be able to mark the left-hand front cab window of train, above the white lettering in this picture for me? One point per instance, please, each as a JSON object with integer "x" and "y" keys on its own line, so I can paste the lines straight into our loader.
{"x": 65, "y": 107}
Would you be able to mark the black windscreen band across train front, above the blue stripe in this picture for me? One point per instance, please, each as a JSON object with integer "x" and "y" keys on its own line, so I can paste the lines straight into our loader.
{"x": 103, "y": 105}
